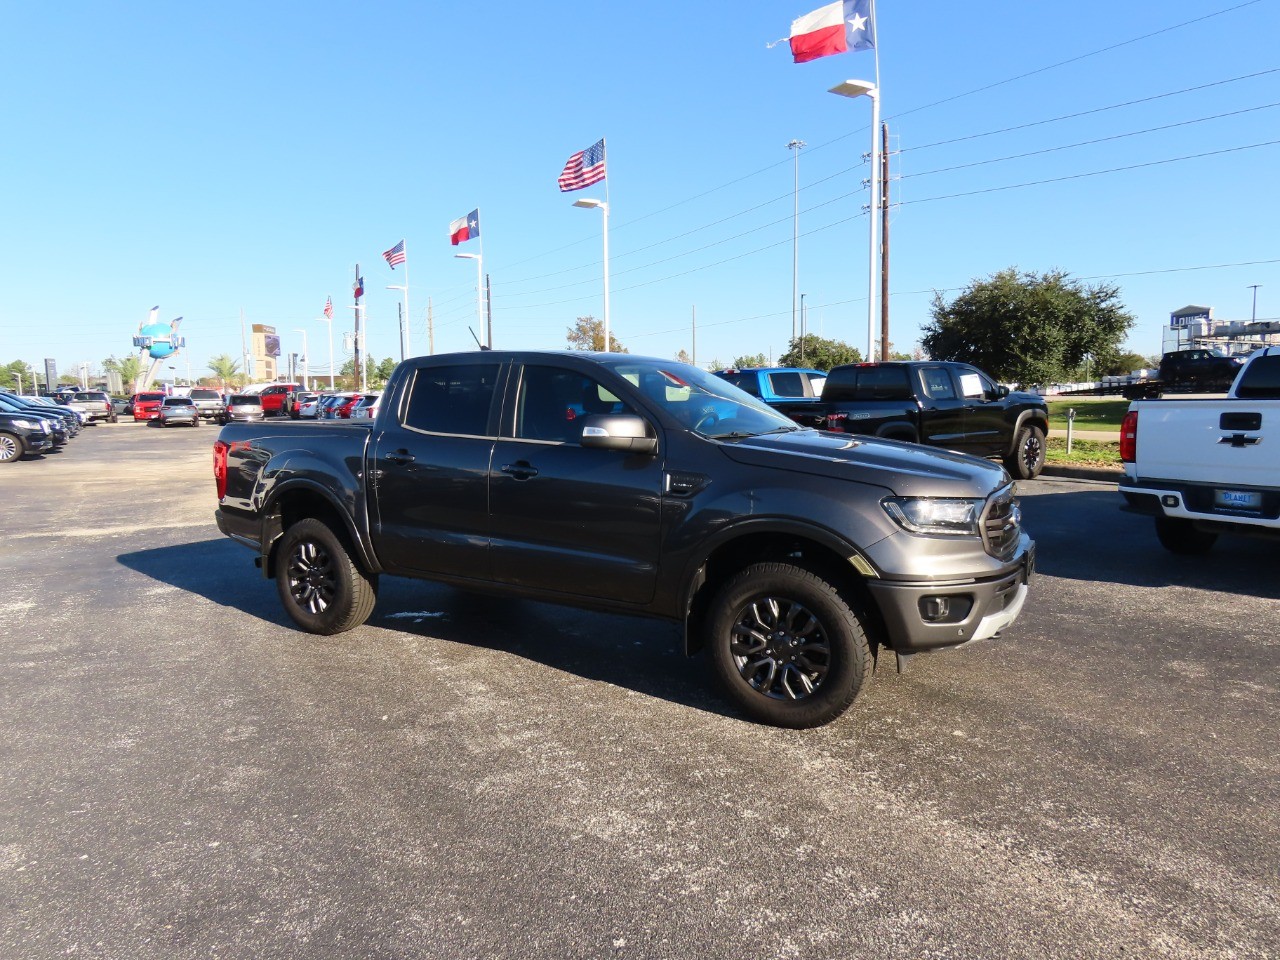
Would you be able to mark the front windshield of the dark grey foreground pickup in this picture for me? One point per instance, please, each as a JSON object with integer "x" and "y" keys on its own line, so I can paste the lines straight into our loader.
{"x": 703, "y": 403}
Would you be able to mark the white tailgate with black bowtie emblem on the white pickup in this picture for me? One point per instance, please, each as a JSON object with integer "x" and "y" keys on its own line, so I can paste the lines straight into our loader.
{"x": 1212, "y": 441}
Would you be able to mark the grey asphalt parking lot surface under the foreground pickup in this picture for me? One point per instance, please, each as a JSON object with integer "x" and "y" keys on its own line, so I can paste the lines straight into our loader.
{"x": 185, "y": 775}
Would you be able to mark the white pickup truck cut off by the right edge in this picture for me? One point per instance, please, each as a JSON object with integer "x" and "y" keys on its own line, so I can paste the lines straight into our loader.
{"x": 1208, "y": 467}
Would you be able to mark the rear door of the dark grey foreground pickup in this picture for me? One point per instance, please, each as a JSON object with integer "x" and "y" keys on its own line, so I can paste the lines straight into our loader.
{"x": 431, "y": 472}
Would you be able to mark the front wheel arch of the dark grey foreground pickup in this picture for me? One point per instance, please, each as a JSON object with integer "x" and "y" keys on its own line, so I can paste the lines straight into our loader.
{"x": 810, "y": 547}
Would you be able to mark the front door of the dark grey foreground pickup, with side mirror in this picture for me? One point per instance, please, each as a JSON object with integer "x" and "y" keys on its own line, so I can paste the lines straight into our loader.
{"x": 565, "y": 518}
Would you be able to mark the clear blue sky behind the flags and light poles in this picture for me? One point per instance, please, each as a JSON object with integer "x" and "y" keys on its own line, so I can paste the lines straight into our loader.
{"x": 245, "y": 157}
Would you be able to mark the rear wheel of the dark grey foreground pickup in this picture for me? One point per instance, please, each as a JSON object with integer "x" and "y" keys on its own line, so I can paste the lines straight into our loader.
{"x": 321, "y": 587}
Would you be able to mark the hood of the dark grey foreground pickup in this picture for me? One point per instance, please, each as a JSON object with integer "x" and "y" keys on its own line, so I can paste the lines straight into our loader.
{"x": 906, "y": 469}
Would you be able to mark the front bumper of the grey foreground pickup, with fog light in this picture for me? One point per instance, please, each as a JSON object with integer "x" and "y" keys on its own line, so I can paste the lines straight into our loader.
{"x": 932, "y": 616}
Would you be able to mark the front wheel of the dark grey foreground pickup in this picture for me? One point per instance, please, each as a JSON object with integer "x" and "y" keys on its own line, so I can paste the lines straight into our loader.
{"x": 787, "y": 647}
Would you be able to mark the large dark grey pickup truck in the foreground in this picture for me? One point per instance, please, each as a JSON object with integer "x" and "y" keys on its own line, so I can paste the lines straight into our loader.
{"x": 647, "y": 487}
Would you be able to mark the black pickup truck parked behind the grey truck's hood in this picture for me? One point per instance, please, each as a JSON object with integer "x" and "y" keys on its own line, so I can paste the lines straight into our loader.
{"x": 939, "y": 404}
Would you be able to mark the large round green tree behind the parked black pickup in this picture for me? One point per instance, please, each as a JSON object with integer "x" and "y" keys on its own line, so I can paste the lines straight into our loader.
{"x": 1028, "y": 328}
